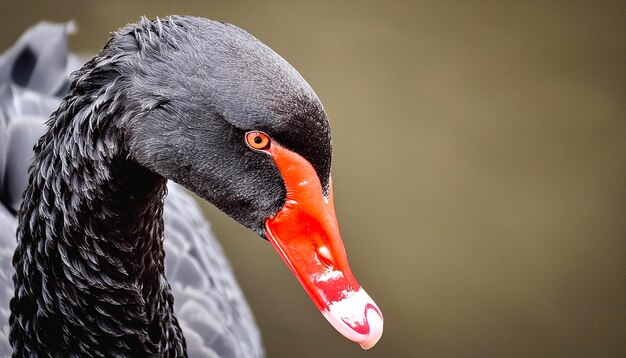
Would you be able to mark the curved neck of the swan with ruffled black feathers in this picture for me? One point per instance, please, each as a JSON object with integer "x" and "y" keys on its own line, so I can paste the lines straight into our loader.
{"x": 89, "y": 262}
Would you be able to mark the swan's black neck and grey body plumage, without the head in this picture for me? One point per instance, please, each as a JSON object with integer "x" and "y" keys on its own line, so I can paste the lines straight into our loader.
{"x": 89, "y": 277}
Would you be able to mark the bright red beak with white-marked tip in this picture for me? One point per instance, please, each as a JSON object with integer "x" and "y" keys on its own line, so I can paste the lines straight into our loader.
{"x": 306, "y": 235}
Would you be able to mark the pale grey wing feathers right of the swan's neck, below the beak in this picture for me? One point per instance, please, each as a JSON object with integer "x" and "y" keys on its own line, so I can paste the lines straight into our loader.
{"x": 210, "y": 306}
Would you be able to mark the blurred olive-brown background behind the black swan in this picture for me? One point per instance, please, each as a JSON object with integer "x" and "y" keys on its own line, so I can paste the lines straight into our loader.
{"x": 479, "y": 168}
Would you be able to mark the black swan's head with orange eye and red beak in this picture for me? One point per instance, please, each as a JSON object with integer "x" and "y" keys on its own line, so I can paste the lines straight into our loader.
{"x": 212, "y": 108}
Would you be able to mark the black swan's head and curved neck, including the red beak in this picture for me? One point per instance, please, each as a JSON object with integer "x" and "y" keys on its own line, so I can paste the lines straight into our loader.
{"x": 203, "y": 104}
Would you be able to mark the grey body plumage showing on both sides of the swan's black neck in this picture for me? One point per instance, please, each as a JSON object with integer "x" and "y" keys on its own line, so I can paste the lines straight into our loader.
{"x": 209, "y": 304}
